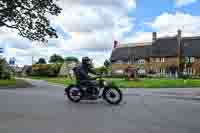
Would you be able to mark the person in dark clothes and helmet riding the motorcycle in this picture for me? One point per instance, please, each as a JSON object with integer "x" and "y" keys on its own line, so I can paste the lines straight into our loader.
{"x": 83, "y": 78}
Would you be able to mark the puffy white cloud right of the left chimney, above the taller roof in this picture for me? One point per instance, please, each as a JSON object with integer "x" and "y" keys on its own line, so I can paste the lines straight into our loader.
{"x": 170, "y": 23}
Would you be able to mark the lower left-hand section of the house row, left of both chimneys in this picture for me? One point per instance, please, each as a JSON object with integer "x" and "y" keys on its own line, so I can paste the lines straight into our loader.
{"x": 136, "y": 56}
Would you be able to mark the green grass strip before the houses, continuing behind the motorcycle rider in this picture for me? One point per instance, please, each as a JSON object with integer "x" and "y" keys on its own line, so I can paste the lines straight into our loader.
{"x": 141, "y": 83}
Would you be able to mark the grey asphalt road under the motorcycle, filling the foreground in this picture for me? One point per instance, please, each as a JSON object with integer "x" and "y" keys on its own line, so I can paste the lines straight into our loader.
{"x": 43, "y": 109}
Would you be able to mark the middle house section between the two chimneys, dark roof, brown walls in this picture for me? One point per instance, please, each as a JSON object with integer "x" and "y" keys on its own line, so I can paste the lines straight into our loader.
{"x": 164, "y": 55}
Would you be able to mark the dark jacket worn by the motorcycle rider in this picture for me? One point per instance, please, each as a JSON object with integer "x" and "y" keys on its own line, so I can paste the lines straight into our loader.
{"x": 82, "y": 73}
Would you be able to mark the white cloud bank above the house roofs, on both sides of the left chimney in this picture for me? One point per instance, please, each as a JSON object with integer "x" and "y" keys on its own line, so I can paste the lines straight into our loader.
{"x": 167, "y": 25}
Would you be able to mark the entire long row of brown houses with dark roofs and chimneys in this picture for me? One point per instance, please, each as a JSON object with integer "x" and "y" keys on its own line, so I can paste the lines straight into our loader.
{"x": 163, "y": 56}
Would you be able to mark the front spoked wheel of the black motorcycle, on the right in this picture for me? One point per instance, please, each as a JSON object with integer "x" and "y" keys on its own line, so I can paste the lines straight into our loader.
{"x": 112, "y": 95}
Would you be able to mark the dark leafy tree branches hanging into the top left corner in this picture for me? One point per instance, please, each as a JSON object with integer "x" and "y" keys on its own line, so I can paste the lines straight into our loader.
{"x": 29, "y": 17}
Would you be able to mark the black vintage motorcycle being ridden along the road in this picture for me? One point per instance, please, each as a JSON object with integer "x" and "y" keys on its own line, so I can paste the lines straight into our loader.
{"x": 105, "y": 89}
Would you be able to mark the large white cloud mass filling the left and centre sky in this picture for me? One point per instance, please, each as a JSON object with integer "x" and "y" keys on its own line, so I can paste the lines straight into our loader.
{"x": 92, "y": 25}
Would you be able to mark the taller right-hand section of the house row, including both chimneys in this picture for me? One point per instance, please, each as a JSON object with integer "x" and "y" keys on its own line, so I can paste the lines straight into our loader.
{"x": 169, "y": 53}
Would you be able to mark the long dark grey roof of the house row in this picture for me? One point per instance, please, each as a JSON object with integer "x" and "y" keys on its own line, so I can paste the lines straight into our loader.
{"x": 162, "y": 47}
